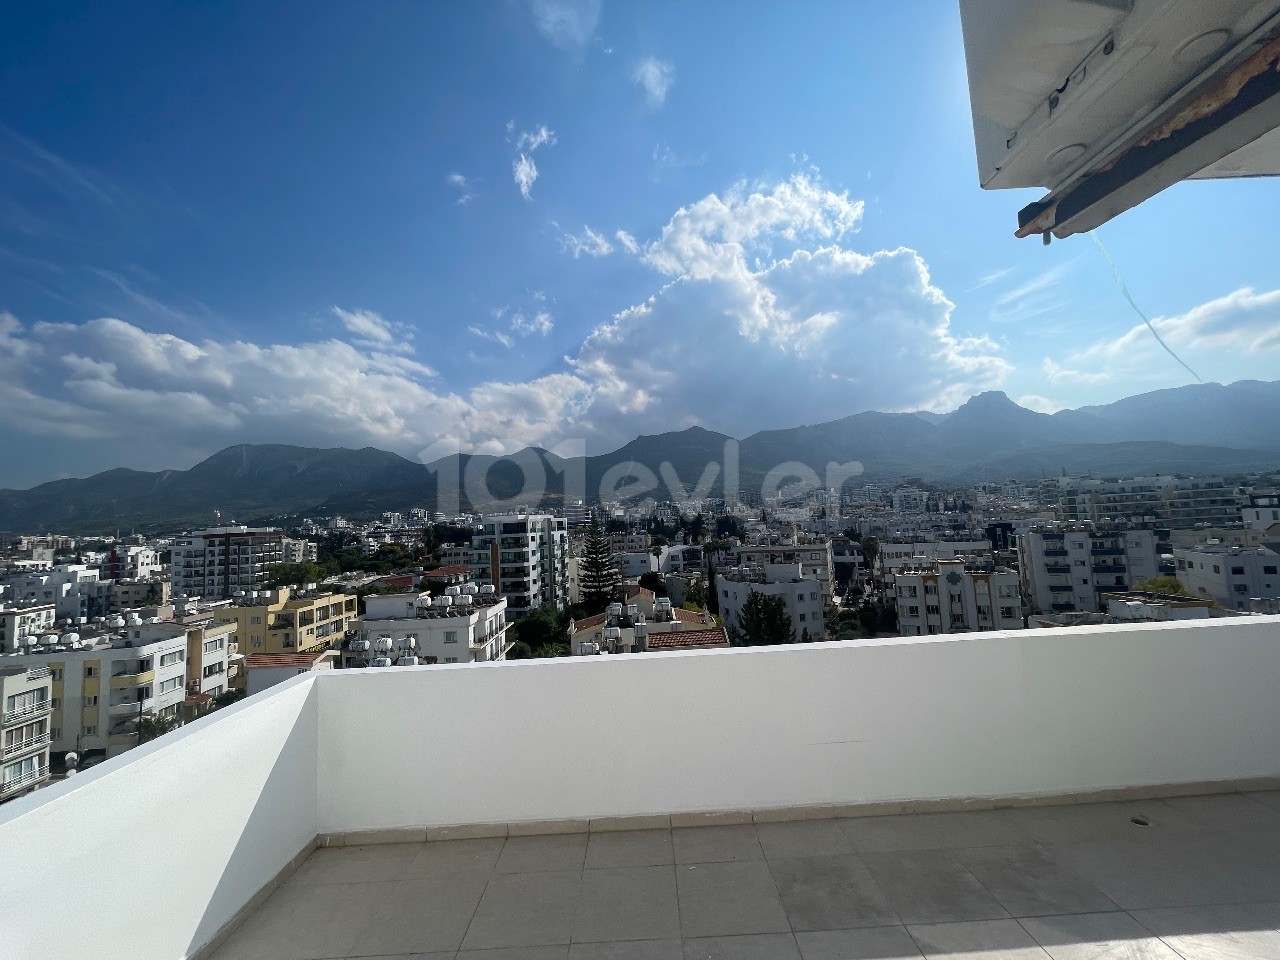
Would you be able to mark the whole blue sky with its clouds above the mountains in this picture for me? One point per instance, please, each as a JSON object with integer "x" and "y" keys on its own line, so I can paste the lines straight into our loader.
{"x": 305, "y": 223}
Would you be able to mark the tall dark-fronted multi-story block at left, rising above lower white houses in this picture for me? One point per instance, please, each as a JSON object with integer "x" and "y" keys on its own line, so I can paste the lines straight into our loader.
{"x": 221, "y": 563}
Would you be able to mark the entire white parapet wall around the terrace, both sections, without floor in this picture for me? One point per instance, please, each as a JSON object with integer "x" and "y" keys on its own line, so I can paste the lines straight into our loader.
{"x": 815, "y": 726}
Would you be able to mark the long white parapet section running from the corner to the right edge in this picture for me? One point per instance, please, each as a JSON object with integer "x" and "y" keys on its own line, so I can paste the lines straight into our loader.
{"x": 981, "y": 716}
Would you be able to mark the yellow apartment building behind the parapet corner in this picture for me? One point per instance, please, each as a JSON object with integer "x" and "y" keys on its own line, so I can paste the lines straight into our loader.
{"x": 289, "y": 621}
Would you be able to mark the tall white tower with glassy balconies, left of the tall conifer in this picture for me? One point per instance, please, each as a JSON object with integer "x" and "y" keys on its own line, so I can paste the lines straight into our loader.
{"x": 525, "y": 557}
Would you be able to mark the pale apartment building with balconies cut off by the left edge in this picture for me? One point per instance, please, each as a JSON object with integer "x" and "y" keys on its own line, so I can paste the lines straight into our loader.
{"x": 25, "y": 707}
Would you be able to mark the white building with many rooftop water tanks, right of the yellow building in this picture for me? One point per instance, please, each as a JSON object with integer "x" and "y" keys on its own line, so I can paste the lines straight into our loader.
{"x": 467, "y": 624}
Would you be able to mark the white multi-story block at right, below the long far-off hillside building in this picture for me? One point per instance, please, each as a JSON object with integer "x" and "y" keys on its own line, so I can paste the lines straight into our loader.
{"x": 1067, "y": 568}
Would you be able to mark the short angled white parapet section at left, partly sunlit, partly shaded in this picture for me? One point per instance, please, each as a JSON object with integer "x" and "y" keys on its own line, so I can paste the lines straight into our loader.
{"x": 148, "y": 856}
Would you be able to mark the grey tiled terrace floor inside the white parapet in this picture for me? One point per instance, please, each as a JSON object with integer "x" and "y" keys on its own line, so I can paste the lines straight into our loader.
{"x": 1201, "y": 881}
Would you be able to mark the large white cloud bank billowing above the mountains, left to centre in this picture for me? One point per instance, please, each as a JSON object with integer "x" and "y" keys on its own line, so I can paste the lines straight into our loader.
{"x": 762, "y": 316}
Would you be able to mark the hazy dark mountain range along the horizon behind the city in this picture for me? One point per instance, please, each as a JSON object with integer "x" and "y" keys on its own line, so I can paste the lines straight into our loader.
{"x": 1203, "y": 428}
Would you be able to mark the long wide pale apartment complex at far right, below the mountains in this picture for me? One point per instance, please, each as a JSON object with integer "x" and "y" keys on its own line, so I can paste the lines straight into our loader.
{"x": 1176, "y": 502}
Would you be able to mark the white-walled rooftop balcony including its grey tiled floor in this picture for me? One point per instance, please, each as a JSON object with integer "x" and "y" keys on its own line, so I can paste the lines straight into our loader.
{"x": 872, "y": 799}
